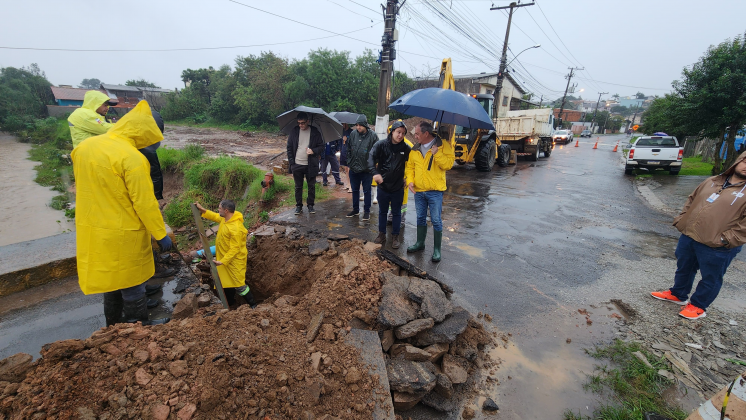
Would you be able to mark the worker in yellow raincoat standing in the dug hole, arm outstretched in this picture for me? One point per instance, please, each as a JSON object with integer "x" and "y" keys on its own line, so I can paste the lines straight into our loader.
{"x": 230, "y": 251}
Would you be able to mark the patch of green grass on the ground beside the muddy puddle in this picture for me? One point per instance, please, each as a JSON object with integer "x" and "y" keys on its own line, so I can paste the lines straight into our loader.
{"x": 635, "y": 388}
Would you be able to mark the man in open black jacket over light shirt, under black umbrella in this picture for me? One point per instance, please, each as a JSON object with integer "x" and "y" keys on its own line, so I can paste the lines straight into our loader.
{"x": 305, "y": 146}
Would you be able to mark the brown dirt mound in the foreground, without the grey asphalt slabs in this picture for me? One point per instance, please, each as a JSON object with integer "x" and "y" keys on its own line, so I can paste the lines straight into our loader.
{"x": 286, "y": 359}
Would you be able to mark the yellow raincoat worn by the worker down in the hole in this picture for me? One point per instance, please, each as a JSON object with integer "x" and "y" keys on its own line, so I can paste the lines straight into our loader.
{"x": 230, "y": 248}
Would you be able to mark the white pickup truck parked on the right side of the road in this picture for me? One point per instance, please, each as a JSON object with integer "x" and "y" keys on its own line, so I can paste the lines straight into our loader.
{"x": 655, "y": 152}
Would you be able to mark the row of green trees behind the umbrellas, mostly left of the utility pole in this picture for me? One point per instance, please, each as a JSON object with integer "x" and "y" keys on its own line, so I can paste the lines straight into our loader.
{"x": 259, "y": 87}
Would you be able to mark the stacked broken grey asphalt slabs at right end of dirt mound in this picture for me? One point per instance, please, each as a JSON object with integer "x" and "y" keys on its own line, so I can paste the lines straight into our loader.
{"x": 432, "y": 347}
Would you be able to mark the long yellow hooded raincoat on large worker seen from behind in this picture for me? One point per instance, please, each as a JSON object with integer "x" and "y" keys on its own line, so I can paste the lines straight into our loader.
{"x": 116, "y": 210}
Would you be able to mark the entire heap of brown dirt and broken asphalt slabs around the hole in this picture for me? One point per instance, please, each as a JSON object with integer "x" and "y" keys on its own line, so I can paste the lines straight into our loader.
{"x": 286, "y": 359}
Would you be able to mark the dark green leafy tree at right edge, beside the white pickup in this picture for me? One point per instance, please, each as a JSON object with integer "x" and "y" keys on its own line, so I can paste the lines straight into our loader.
{"x": 708, "y": 100}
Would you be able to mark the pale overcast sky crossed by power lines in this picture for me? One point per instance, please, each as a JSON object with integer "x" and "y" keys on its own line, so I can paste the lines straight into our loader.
{"x": 642, "y": 44}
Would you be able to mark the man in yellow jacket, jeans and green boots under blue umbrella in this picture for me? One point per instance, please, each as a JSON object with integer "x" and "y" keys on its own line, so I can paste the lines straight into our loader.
{"x": 426, "y": 170}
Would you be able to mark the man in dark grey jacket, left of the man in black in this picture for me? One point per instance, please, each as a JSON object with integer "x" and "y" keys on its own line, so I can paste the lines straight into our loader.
{"x": 358, "y": 145}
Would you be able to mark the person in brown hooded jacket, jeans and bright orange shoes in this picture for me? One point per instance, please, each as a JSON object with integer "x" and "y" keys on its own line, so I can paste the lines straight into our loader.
{"x": 713, "y": 230}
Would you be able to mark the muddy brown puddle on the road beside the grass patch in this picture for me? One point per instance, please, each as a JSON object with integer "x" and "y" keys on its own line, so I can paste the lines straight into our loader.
{"x": 542, "y": 370}
